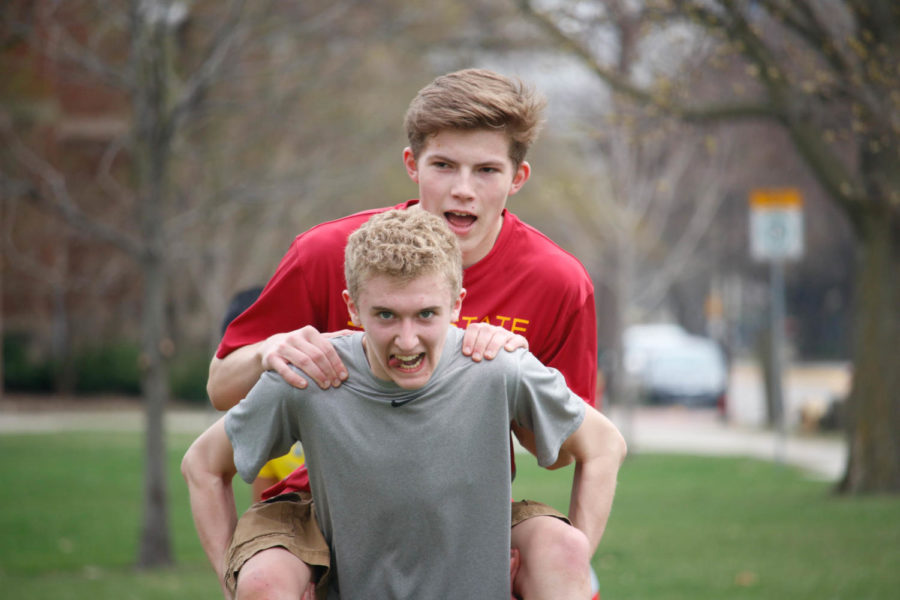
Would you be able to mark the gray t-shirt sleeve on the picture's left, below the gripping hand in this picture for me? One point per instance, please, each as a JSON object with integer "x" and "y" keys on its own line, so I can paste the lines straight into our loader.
{"x": 263, "y": 425}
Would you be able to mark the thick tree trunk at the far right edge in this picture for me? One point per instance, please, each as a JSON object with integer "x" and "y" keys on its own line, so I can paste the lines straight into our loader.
{"x": 874, "y": 404}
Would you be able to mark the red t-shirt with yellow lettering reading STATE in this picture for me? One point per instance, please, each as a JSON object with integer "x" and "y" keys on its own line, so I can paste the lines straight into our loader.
{"x": 526, "y": 284}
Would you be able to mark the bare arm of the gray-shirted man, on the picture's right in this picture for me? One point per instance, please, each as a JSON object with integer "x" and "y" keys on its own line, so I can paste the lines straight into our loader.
{"x": 598, "y": 450}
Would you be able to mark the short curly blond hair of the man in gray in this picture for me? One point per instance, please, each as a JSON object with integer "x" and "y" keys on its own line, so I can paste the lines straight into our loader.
{"x": 404, "y": 244}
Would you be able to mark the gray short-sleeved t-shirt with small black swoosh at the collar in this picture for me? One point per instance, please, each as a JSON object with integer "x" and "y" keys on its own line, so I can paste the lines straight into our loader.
{"x": 412, "y": 487}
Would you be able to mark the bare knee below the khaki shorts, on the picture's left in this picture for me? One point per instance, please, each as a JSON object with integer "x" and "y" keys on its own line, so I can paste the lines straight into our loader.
{"x": 273, "y": 574}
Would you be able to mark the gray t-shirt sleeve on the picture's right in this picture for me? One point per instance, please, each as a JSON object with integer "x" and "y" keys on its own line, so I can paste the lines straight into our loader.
{"x": 542, "y": 403}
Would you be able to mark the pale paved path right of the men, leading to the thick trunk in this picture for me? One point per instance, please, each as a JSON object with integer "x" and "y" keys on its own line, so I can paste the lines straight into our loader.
{"x": 701, "y": 432}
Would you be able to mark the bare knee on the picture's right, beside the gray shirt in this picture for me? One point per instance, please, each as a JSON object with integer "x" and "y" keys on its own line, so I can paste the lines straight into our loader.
{"x": 554, "y": 560}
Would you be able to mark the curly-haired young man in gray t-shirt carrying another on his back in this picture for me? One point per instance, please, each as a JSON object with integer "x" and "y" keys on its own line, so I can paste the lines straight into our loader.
{"x": 408, "y": 459}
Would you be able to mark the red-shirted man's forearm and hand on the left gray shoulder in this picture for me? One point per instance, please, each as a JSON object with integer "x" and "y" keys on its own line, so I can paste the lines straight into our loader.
{"x": 231, "y": 378}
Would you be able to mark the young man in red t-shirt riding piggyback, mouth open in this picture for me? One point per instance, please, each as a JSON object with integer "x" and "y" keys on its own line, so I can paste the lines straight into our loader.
{"x": 468, "y": 135}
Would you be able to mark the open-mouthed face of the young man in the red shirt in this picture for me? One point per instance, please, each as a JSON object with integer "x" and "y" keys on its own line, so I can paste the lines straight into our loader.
{"x": 465, "y": 177}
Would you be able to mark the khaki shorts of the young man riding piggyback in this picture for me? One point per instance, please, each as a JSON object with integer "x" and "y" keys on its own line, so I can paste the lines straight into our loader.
{"x": 289, "y": 521}
